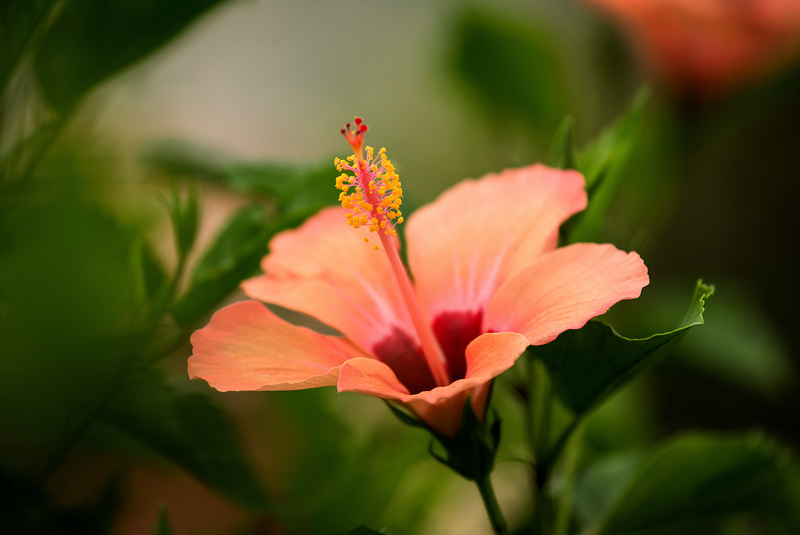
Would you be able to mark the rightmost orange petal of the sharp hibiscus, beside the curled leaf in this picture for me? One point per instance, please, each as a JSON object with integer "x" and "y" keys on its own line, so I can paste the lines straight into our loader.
{"x": 564, "y": 289}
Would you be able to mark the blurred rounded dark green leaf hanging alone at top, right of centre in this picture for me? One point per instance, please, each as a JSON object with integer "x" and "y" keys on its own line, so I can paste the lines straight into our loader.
{"x": 511, "y": 68}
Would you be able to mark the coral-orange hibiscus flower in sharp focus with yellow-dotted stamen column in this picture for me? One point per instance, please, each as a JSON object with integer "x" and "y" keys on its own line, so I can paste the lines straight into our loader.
{"x": 488, "y": 281}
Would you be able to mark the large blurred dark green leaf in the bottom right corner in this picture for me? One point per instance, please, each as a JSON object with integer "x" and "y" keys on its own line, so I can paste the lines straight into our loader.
{"x": 697, "y": 477}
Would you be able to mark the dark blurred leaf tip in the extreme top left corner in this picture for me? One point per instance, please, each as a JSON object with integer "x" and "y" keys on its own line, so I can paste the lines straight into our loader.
{"x": 20, "y": 23}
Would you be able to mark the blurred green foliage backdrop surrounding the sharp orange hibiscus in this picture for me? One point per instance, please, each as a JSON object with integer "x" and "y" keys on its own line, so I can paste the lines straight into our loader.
{"x": 149, "y": 150}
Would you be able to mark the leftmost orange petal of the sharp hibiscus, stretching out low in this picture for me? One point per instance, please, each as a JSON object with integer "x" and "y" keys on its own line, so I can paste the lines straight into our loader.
{"x": 247, "y": 347}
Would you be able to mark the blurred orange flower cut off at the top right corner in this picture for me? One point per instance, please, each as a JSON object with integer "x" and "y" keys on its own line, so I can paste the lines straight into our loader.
{"x": 706, "y": 46}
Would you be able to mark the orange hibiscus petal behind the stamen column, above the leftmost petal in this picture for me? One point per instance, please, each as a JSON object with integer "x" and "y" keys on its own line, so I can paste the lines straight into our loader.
{"x": 324, "y": 269}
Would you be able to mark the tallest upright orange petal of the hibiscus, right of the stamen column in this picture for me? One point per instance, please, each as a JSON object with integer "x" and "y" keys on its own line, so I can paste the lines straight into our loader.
{"x": 478, "y": 233}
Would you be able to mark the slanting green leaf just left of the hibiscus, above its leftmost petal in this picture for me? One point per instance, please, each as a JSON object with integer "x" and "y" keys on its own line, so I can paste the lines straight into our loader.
{"x": 232, "y": 257}
